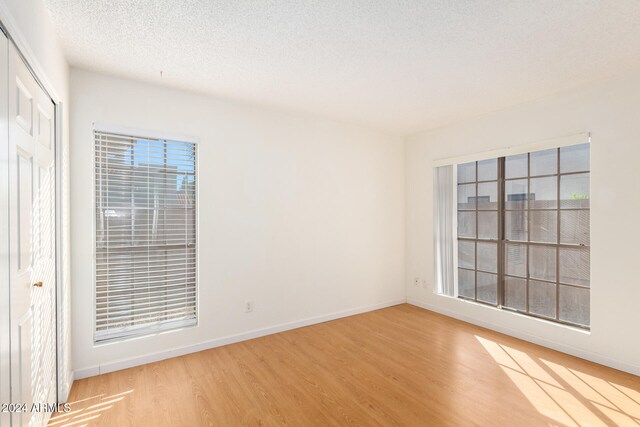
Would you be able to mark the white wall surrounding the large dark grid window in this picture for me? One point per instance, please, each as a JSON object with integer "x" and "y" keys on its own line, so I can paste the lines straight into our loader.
{"x": 611, "y": 112}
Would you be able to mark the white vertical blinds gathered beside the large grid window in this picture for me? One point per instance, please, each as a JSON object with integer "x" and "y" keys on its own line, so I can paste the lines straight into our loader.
{"x": 443, "y": 229}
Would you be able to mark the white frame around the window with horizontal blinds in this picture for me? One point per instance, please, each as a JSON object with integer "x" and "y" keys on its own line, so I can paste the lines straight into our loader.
{"x": 151, "y": 329}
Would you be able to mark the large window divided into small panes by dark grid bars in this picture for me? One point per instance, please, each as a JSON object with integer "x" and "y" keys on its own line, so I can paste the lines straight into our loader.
{"x": 523, "y": 233}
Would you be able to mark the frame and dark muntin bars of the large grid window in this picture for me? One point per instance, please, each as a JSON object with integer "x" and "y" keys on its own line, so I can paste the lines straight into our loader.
{"x": 502, "y": 242}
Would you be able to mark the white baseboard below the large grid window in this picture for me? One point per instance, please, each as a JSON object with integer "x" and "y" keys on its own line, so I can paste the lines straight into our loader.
{"x": 593, "y": 357}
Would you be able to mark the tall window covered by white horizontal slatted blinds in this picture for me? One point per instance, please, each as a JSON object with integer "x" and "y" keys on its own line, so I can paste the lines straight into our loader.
{"x": 145, "y": 235}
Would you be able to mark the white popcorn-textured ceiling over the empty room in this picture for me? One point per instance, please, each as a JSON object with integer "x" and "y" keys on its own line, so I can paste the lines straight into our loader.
{"x": 397, "y": 65}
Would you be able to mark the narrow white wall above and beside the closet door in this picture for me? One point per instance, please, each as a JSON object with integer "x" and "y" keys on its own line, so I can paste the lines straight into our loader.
{"x": 29, "y": 25}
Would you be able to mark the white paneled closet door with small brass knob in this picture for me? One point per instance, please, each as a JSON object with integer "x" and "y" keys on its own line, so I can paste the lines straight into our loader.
{"x": 32, "y": 243}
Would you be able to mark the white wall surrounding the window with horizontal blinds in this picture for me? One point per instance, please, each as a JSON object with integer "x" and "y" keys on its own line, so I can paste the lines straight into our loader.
{"x": 301, "y": 215}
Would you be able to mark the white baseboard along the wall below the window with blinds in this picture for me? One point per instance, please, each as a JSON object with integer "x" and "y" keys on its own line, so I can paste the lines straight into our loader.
{"x": 231, "y": 339}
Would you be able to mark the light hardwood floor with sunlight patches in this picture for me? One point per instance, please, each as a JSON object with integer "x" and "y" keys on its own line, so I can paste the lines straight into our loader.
{"x": 397, "y": 366}
